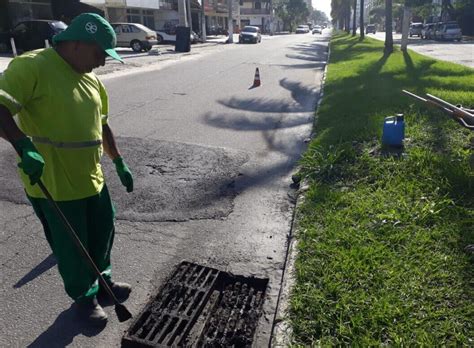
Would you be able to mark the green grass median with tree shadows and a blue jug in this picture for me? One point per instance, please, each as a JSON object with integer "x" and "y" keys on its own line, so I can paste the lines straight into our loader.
{"x": 381, "y": 238}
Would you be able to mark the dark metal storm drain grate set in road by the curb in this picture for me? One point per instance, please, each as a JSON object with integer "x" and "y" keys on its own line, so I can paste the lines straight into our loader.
{"x": 200, "y": 307}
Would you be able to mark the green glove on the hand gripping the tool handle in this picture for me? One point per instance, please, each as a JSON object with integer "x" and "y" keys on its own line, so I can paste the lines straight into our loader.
{"x": 32, "y": 162}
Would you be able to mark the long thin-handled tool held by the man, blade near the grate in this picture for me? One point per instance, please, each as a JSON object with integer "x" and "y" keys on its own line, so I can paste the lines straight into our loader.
{"x": 123, "y": 314}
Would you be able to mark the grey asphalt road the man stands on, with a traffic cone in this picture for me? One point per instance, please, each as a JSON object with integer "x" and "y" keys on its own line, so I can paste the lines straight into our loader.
{"x": 212, "y": 160}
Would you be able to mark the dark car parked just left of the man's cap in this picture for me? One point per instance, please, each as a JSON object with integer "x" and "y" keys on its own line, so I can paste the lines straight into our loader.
{"x": 30, "y": 35}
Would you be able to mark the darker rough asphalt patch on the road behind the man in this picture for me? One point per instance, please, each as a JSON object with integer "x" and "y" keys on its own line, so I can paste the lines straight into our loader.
{"x": 172, "y": 181}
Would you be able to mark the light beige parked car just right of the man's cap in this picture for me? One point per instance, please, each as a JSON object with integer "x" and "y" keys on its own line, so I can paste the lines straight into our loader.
{"x": 134, "y": 35}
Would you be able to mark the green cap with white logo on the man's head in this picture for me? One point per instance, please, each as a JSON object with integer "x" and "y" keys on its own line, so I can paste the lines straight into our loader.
{"x": 90, "y": 27}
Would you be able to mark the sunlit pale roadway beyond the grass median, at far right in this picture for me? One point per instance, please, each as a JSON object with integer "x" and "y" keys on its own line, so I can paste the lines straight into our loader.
{"x": 452, "y": 51}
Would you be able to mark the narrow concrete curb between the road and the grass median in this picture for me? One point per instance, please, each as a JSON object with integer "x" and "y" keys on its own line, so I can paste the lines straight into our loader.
{"x": 282, "y": 332}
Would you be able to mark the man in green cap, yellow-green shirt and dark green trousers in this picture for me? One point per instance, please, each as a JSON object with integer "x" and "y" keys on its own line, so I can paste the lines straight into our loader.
{"x": 62, "y": 131}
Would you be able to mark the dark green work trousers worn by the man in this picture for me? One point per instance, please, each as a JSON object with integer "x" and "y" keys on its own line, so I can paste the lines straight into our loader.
{"x": 93, "y": 221}
